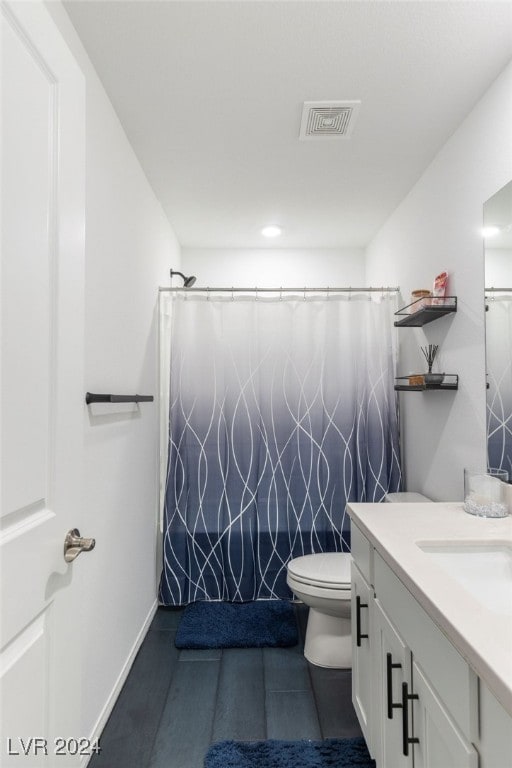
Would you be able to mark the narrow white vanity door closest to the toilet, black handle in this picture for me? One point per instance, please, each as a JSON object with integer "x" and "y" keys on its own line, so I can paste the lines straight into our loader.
{"x": 362, "y": 693}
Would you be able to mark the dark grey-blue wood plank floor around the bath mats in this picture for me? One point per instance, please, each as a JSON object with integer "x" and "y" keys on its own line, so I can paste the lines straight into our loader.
{"x": 175, "y": 704}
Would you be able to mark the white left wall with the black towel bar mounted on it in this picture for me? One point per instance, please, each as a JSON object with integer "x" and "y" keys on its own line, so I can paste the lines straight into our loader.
{"x": 129, "y": 250}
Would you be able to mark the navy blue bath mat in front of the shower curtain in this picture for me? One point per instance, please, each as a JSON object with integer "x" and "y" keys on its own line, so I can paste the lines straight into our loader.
{"x": 259, "y": 624}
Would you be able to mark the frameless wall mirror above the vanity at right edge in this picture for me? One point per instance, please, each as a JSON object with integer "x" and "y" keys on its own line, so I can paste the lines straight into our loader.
{"x": 498, "y": 327}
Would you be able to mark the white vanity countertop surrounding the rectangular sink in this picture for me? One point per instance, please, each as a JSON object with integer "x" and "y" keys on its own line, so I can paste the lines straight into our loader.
{"x": 481, "y": 635}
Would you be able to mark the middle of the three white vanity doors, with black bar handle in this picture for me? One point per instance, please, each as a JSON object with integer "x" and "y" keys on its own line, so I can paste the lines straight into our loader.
{"x": 392, "y": 665}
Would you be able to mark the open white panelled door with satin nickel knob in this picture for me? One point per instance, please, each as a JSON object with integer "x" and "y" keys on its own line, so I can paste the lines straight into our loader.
{"x": 42, "y": 392}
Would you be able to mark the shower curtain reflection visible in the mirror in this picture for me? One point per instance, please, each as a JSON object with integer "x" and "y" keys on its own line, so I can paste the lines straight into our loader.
{"x": 499, "y": 377}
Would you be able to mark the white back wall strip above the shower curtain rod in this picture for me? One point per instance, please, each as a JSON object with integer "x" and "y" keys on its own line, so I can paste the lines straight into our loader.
{"x": 275, "y": 267}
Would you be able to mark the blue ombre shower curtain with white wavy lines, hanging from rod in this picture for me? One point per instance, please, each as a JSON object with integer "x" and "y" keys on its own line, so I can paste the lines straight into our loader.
{"x": 281, "y": 410}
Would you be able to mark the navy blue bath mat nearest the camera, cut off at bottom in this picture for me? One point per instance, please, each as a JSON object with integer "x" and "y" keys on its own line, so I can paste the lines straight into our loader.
{"x": 330, "y": 753}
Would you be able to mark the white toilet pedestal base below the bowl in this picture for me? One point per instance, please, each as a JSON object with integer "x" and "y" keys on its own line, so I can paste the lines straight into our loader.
{"x": 328, "y": 641}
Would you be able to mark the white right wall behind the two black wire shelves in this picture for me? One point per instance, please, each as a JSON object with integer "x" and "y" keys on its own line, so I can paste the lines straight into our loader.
{"x": 437, "y": 227}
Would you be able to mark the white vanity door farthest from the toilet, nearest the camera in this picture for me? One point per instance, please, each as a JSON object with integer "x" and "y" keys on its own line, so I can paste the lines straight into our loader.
{"x": 439, "y": 741}
